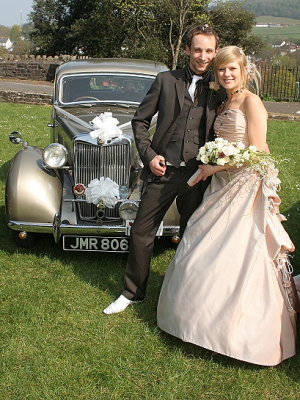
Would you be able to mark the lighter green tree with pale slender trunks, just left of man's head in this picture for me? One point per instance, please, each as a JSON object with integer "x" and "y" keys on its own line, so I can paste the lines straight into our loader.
{"x": 158, "y": 27}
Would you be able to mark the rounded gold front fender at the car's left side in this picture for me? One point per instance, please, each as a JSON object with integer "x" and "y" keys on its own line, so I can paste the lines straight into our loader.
{"x": 33, "y": 192}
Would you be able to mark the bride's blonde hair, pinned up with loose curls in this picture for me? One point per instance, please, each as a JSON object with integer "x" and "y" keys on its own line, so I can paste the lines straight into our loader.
{"x": 249, "y": 73}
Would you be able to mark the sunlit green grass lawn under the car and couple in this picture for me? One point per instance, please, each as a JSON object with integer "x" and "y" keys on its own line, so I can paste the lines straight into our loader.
{"x": 57, "y": 345}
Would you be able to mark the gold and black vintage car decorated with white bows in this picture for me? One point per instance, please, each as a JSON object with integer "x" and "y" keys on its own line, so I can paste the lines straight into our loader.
{"x": 84, "y": 187}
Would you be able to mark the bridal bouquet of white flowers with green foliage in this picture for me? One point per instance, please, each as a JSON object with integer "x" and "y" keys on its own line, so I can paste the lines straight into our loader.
{"x": 234, "y": 154}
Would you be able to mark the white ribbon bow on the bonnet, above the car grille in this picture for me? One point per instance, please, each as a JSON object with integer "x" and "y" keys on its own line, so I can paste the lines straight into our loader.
{"x": 106, "y": 128}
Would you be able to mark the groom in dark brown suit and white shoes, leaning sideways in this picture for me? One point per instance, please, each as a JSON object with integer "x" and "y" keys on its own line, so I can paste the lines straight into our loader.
{"x": 186, "y": 112}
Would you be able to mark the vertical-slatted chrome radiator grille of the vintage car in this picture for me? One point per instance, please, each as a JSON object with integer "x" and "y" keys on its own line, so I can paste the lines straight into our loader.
{"x": 93, "y": 162}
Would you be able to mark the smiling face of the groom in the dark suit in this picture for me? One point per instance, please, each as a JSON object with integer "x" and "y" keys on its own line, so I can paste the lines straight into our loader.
{"x": 202, "y": 52}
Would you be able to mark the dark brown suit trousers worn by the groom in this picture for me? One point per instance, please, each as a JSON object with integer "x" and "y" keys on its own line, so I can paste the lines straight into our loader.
{"x": 156, "y": 200}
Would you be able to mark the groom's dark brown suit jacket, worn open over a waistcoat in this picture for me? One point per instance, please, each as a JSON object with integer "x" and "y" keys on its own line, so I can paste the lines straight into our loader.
{"x": 166, "y": 96}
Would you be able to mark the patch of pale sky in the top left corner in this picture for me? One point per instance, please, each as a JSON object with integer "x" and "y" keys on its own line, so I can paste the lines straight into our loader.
{"x": 14, "y": 11}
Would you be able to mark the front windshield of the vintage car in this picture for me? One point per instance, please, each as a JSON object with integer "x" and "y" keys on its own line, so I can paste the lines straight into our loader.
{"x": 115, "y": 88}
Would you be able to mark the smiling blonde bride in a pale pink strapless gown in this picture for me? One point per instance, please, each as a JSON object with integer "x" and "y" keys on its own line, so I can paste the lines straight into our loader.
{"x": 229, "y": 288}
